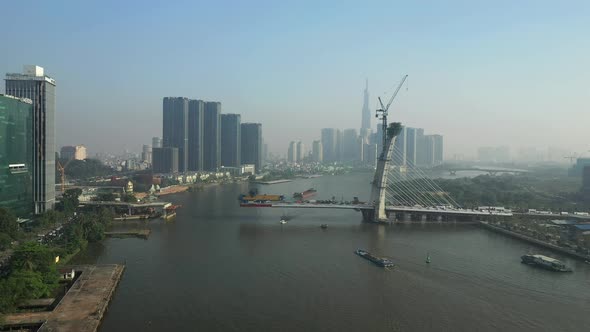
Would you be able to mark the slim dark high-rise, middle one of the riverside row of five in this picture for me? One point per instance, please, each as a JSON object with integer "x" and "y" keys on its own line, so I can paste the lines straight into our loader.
{"x": 212, "y": 136}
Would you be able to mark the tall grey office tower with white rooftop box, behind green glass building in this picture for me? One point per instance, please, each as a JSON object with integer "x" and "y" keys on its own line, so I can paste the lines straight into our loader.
{"x": 35, "y": 85}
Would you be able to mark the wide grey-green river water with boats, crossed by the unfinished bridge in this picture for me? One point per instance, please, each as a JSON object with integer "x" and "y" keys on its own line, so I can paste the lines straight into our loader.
{"x": 220, "y": 267}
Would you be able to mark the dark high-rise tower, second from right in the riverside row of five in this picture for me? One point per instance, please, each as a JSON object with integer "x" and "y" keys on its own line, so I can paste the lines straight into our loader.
{"x": 230, "y": 140}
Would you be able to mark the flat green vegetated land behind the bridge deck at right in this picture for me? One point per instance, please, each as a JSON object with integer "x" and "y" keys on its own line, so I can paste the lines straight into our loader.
{"x": 516, "y": 191}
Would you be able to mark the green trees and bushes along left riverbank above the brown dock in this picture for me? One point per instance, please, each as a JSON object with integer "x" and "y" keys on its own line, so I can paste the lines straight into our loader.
{"x": 32, "y": 272}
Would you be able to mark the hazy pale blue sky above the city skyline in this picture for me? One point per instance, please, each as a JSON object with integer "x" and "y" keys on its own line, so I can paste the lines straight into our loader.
{"x": 497, "y": 73}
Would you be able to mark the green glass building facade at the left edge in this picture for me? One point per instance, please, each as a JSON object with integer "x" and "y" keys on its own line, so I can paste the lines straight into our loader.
{"x": 16, "y": 155}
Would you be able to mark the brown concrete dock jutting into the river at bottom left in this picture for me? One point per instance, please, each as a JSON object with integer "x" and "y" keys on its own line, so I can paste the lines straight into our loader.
{"x": 83, "y": 306}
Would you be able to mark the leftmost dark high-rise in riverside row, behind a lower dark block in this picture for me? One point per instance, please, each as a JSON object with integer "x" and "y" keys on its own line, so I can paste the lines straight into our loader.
{"x": 175, "y": 128}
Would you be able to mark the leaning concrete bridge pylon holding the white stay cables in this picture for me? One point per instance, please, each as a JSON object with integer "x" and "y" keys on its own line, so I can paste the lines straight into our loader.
{"x": 379, "y": 186}
